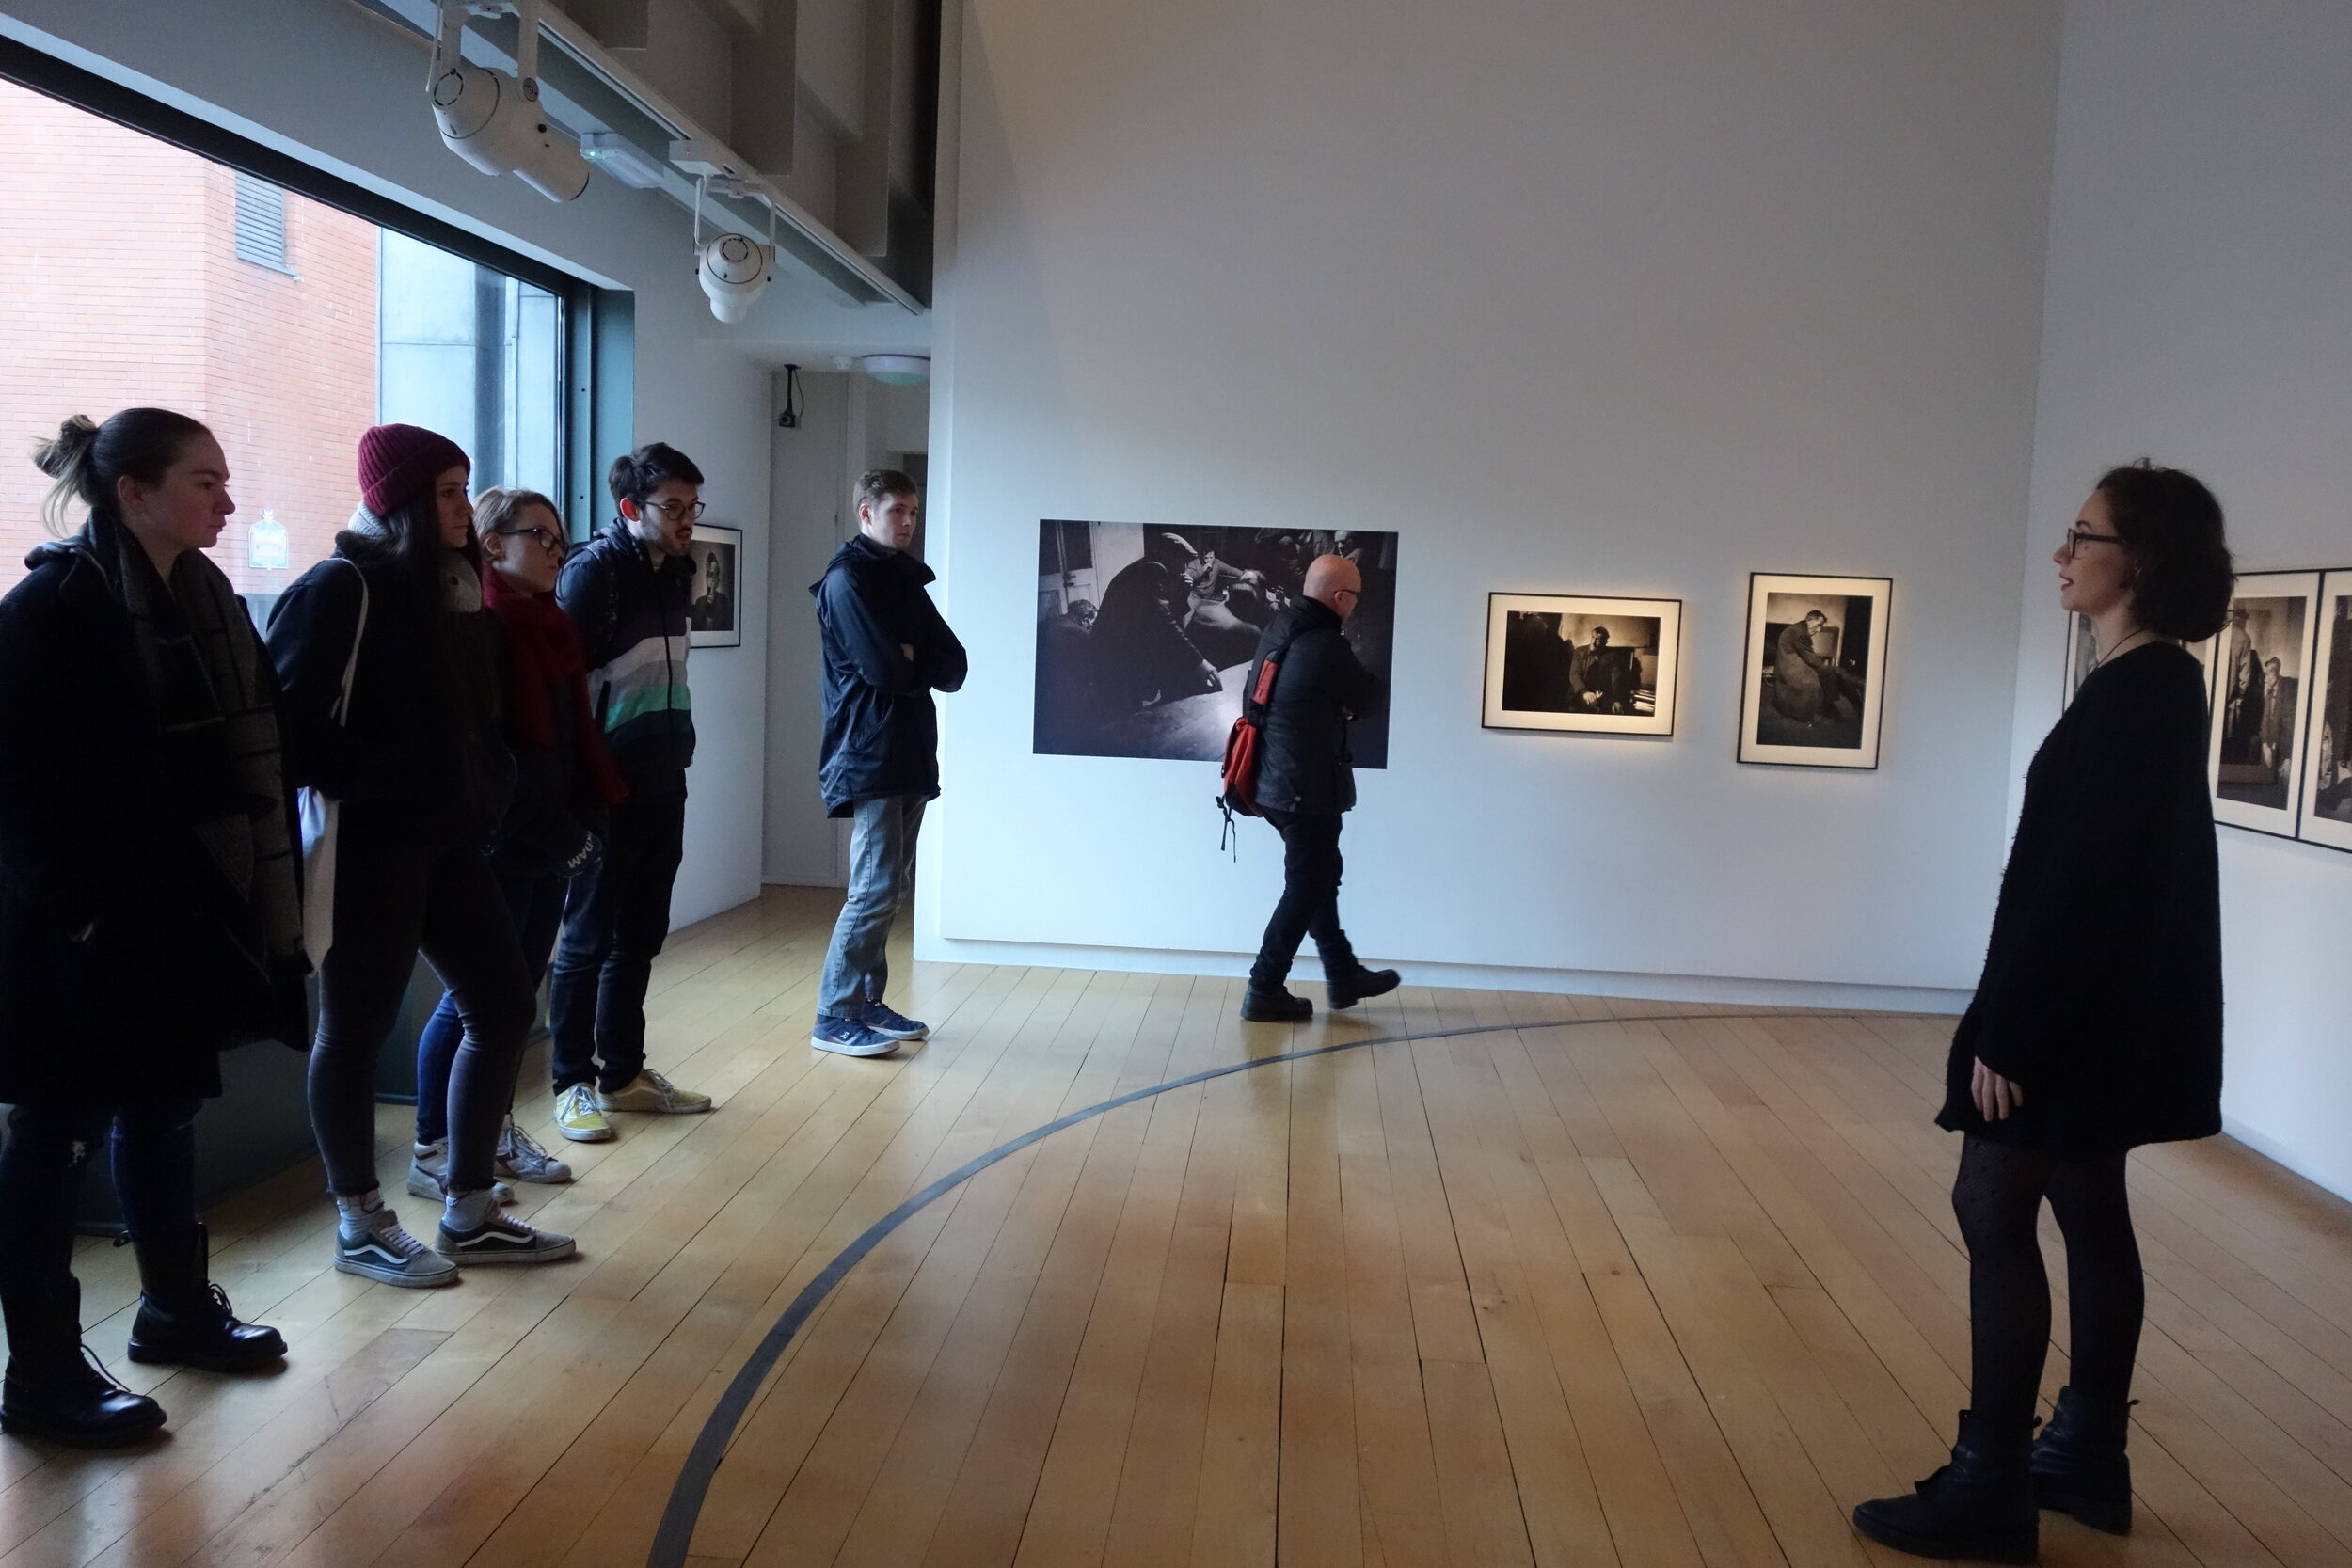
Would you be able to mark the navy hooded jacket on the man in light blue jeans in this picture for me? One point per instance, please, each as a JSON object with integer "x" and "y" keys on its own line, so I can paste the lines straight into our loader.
{"x": 881, "y": 725}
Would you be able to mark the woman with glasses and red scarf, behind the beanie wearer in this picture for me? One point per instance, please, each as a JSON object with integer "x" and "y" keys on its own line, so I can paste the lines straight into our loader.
{"x": 556, "y": 824}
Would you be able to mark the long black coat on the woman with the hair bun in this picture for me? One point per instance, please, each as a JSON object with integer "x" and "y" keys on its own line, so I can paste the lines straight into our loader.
{"x": 91, "y": 840}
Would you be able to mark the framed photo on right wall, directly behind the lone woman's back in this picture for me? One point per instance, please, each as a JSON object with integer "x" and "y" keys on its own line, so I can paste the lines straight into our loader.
{"x": 2266, "y": 657}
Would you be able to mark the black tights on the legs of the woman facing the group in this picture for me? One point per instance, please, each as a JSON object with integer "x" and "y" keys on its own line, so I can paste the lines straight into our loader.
{"x": 1998, "y": 1200}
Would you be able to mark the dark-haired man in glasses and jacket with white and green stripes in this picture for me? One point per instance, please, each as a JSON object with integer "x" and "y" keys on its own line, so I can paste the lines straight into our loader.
{"x": 629, "y": 594}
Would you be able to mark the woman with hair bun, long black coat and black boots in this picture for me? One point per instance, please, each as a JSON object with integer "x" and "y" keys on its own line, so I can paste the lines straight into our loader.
{"x": 149, "y": 904}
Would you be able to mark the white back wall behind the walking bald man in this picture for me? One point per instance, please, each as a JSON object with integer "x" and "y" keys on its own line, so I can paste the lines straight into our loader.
{"x": 1615, "y": 297}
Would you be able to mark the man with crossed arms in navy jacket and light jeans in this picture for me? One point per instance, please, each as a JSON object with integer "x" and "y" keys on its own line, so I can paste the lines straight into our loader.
{"x": 886, "y": 655}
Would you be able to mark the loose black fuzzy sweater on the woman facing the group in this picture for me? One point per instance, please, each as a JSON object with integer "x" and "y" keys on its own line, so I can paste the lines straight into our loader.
{"x": 2102, "y": 991}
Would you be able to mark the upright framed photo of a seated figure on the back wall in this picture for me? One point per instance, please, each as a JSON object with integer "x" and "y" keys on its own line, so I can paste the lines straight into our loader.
{"x": 1815, "y": 678}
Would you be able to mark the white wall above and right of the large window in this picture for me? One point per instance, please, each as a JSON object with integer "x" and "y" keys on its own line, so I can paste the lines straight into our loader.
{"x": 345, "y": 91}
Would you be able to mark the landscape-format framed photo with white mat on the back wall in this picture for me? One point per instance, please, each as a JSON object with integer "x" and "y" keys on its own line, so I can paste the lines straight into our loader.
{"x": 1582, "y": 664}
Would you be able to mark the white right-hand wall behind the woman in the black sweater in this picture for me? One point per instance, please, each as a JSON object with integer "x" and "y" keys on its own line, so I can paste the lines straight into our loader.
{"x": 2200, "y": 314}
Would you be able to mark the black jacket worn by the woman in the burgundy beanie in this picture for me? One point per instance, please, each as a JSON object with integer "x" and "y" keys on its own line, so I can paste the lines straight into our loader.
{"x": 420, "y": 756}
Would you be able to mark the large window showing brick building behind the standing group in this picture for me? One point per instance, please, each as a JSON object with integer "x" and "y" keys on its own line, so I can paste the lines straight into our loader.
{"x": 135, "y": 272}
